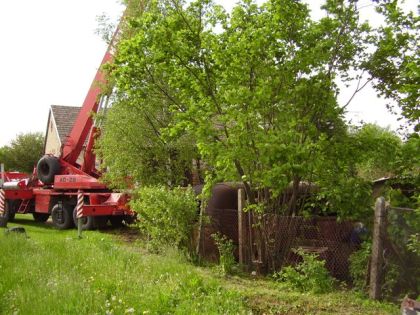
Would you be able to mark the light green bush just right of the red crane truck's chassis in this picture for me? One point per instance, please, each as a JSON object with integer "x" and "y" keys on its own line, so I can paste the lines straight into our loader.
{"x": 166, "y": 216}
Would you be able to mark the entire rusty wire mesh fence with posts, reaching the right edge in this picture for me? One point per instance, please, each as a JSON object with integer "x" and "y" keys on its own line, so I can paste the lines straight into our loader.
{"x": 267, "y": 242}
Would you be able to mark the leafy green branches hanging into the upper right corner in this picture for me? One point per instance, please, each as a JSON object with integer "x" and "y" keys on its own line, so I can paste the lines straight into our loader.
{"x": 394, "y": 66}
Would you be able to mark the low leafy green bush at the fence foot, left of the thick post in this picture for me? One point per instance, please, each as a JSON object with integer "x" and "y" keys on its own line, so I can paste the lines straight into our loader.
{"x": 310, "y": 275}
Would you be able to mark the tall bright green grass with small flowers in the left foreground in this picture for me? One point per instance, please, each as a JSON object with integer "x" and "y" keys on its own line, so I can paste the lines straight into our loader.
{"x": 52, "y": 272}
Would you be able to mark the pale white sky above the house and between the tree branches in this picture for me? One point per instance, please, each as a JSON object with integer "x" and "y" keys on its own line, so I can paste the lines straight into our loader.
{"x": 50, "y": 53}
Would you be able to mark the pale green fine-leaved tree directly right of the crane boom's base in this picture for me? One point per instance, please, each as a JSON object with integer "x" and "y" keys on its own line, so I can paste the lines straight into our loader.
{"x": 132, "y": 144}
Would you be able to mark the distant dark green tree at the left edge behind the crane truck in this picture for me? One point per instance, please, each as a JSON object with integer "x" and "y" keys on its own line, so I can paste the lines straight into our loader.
{"x": 23, "y": 153}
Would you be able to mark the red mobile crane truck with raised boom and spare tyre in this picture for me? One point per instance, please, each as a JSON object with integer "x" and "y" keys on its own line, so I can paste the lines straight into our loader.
{"x": 56, "y": 182}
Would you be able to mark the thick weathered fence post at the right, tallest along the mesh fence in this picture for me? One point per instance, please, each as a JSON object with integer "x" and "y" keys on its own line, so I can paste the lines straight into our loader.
{"x": 377, "y": 249}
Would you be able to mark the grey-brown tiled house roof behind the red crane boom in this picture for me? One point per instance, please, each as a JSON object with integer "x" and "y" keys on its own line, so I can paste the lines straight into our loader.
{"x": 64, "y": 117}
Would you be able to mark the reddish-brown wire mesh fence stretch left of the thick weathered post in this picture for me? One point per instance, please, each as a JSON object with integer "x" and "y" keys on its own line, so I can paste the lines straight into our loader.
{"x": 270, "y": 241}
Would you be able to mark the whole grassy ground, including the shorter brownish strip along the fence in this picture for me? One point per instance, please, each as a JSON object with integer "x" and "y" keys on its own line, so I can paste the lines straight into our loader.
{"x": 53, "y": 272}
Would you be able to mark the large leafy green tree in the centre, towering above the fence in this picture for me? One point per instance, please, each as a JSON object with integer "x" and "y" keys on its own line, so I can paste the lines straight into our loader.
{"x": 253, "y": 91}
